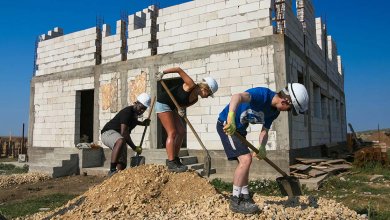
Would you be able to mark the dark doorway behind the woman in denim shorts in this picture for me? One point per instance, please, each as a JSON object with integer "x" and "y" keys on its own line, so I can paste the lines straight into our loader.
{"x": 161, "y": 133}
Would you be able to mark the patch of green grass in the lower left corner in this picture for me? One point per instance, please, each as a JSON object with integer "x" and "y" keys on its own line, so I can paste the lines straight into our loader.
{"x": 28, "y": 207}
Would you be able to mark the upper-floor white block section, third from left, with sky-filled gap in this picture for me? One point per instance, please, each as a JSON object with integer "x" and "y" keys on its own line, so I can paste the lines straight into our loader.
{"x": 141, "y": 41}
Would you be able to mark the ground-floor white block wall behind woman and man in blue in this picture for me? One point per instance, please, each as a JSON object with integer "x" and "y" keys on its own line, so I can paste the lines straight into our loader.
{"x": 235, "y": 72}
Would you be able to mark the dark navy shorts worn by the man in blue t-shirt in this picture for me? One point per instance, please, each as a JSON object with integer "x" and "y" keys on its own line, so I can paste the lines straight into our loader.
{"x": 232, "y": 145}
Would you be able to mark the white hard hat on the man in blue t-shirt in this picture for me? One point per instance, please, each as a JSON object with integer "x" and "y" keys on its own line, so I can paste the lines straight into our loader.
{"x": 299, "y": 97}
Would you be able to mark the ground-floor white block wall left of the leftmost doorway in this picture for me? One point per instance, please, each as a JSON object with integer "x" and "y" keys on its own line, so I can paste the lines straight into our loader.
{"x": 56, "y": 109}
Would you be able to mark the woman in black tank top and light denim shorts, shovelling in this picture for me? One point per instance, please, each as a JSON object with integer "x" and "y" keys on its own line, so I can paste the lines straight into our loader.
{"x": 186, "y": 94}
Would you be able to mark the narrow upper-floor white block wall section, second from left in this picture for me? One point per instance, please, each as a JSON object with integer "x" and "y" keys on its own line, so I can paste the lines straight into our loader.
{"x": 114, "y": 46}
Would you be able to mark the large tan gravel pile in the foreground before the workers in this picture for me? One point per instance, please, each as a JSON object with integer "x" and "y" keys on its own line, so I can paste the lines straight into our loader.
{"x": 150, "y": 192}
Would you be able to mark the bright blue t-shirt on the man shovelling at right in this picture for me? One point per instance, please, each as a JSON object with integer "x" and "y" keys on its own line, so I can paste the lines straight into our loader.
{"x": 258, "y": 111}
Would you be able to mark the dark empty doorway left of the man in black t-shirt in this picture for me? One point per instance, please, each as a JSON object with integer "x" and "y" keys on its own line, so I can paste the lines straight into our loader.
{"x": 85, "y": 125}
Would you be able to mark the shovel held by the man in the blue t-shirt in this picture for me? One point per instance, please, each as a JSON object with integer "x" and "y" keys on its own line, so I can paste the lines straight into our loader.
{"x": 288, "y": 185}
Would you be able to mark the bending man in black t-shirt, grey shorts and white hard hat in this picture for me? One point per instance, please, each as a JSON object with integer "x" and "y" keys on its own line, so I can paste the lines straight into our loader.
{"x": 116, "y": 133}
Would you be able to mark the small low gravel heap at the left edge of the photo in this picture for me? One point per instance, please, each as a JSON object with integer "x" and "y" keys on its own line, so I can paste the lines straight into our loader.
{"x": 16, "y": 179}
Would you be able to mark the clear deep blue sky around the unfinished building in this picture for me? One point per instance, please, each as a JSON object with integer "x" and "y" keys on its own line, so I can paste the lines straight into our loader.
{"x": 360, "y": 30}
